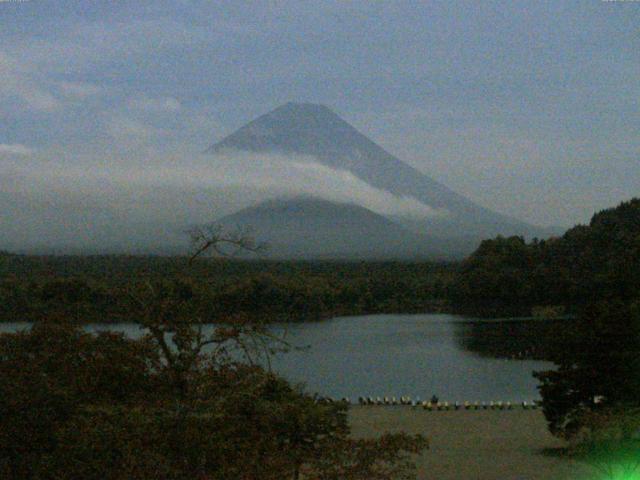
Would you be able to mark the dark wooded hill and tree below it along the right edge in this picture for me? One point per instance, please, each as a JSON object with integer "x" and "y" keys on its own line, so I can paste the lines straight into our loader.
{"x": 593, "y": 272}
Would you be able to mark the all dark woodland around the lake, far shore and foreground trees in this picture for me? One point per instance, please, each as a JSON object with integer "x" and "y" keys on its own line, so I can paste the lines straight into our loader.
{"x": 77, "y": 405}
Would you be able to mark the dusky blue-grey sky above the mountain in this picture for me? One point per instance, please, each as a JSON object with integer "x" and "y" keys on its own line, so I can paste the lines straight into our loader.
{"x": 531, "y": 108}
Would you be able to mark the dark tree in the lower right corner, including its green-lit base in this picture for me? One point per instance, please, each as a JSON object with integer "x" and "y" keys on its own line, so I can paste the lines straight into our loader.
{"x": 593, "y": 398}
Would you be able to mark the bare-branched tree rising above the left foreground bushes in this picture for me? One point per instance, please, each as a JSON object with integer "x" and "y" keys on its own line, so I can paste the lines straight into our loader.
{"x": 177, "y": 328}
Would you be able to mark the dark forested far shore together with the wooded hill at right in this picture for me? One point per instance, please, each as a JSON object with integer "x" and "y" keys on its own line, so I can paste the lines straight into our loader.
{"x": 503, "y": 277}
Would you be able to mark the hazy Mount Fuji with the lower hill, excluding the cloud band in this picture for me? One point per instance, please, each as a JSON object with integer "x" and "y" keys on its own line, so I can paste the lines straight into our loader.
{"x": 308, "y": 226}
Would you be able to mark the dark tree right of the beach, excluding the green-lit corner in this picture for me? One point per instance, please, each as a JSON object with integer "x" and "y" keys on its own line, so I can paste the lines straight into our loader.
{"x": 600, "y": 360}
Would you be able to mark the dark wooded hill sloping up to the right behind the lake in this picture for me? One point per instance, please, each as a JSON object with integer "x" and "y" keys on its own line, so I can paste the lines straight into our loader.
{"x": 600, "y": 261}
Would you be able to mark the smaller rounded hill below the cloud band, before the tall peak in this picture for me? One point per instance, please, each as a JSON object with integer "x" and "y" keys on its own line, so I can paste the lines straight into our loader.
{"x": 304, "y": 227}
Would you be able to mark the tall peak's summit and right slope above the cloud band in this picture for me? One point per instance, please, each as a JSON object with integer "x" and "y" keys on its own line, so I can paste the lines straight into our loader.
{"x": 314, "y": 130}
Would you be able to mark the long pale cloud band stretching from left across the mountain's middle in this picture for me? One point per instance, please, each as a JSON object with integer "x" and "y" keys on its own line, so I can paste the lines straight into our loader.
{"x": 247, "y": 178}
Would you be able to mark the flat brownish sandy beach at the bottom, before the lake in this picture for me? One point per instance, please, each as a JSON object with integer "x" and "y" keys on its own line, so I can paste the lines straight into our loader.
{"x": 478, "y": 445}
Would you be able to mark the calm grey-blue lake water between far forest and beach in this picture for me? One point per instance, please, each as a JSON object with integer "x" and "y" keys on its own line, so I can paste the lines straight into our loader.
{"x": 392, "y": 355}
